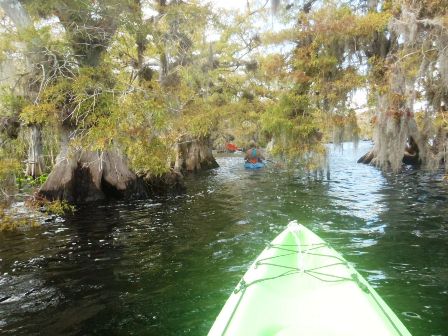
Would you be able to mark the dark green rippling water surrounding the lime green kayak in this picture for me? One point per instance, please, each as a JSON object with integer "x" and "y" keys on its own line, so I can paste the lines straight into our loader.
{"x": 166, "y": 266}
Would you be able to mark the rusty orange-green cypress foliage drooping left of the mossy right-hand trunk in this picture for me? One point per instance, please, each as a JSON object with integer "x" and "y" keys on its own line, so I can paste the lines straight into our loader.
{"x": 317, "y": 81}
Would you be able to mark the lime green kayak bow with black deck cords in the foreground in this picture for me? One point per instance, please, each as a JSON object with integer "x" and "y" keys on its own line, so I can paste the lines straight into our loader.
{"x": 299, "y": 285}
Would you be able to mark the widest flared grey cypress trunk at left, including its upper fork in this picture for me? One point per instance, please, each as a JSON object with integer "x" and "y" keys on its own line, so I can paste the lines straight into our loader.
{"x": 82, "y": 175}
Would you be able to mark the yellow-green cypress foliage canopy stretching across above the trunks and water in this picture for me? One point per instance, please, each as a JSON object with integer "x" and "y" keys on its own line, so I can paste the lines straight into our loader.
{"x": 194, "y": 87}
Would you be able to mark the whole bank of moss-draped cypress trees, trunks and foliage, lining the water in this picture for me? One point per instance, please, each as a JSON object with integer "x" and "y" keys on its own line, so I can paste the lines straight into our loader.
{"x": 120, "y": 99}
